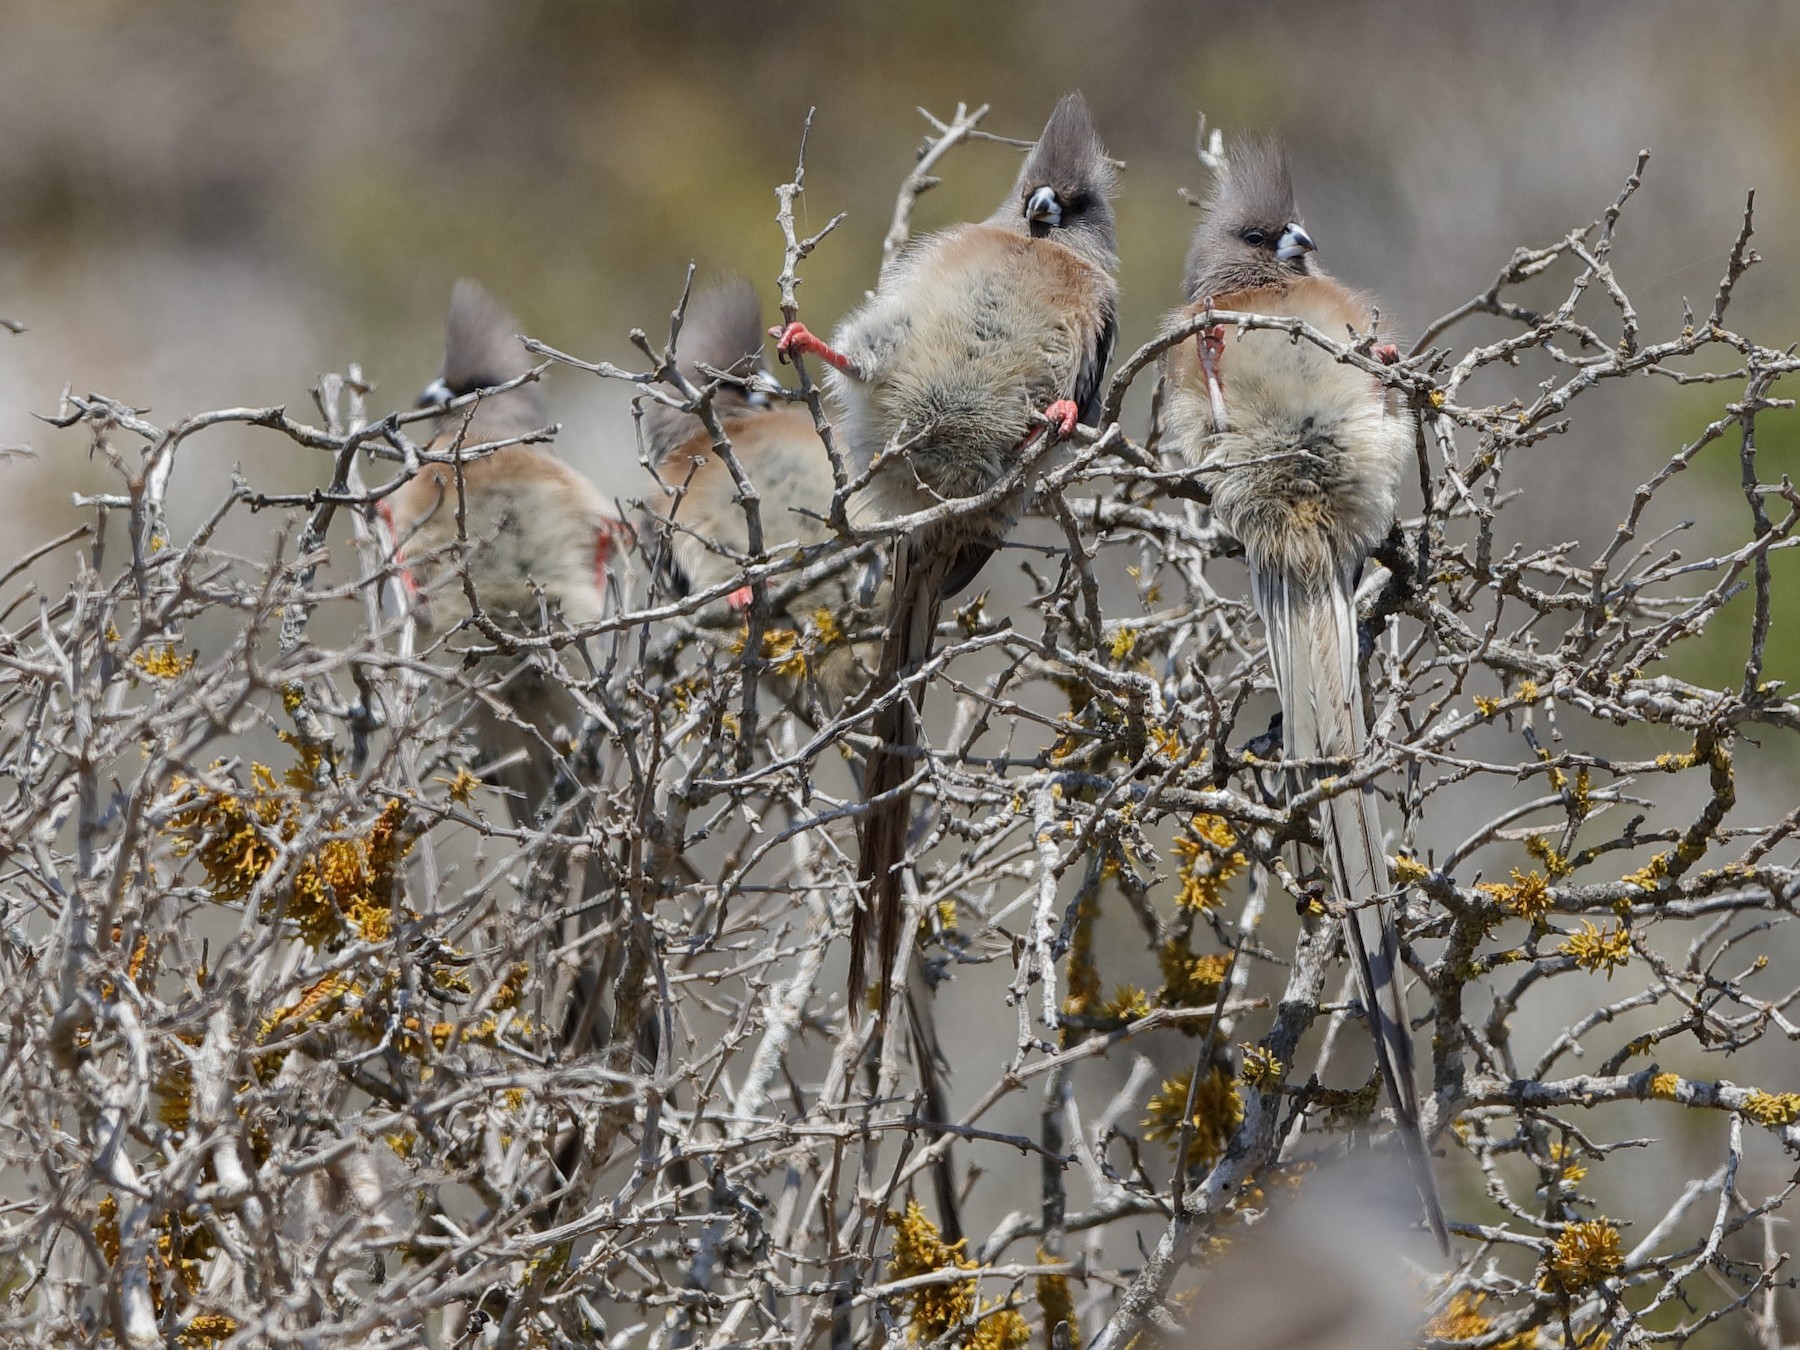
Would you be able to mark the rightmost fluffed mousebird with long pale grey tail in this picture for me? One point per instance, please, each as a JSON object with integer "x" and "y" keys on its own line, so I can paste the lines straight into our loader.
{"x": 1304, "y": 463}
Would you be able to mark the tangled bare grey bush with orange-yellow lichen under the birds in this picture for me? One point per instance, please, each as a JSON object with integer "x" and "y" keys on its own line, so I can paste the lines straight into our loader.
{"x": 278, "y": 1054}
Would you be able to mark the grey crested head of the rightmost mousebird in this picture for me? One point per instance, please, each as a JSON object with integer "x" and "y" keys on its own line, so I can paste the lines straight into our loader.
{"x": 1250, "y": 235}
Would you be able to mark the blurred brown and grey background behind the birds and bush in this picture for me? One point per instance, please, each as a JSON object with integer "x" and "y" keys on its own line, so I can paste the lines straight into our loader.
{"x": 211, "y": 202}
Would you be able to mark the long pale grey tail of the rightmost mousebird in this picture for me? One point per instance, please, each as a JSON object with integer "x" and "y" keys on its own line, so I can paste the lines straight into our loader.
{"x": 1313, "y": 649}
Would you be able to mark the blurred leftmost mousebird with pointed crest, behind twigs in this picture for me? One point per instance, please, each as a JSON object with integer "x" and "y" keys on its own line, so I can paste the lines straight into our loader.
{"x": 530, "y": 537}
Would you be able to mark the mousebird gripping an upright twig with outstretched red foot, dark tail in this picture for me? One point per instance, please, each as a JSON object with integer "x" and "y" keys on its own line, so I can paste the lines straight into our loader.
{"x": 980, "y": 341}
